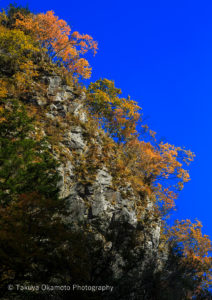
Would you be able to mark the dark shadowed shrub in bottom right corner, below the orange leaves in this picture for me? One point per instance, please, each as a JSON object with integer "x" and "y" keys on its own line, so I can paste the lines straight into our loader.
{"x": 177, "y": 279}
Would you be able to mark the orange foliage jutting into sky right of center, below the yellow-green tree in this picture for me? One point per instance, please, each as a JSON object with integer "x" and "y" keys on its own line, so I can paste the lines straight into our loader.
{"x": 156, "y": 164}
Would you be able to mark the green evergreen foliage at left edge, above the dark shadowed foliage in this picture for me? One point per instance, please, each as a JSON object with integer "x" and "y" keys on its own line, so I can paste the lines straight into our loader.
{"x": 25, "y": 164}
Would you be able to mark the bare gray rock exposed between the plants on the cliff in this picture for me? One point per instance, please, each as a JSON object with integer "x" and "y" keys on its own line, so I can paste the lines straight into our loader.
{"x": 126, "y": 246}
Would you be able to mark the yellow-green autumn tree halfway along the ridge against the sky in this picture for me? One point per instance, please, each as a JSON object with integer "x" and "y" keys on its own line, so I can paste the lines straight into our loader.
{"x": 118, "y": 116}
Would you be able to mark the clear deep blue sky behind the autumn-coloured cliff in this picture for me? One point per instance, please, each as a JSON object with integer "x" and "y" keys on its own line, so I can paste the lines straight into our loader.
{"x": 159, "y": 52}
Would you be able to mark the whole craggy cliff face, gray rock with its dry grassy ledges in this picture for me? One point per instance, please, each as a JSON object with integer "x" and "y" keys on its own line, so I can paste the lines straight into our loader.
{"x": 124, "y": 242}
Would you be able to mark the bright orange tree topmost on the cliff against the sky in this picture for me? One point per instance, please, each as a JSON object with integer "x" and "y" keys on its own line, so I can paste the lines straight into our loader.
{"x": 55, "y": 35}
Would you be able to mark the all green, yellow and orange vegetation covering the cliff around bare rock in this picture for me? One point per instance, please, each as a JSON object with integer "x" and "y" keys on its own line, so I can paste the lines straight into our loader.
{"x": 32, "y": 47}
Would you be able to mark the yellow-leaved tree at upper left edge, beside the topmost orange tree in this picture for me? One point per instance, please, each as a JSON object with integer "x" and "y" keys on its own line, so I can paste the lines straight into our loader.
{"x": 18, "y": 68}
